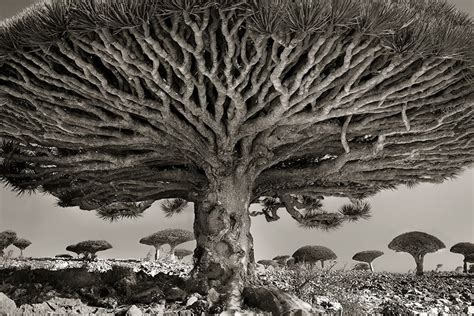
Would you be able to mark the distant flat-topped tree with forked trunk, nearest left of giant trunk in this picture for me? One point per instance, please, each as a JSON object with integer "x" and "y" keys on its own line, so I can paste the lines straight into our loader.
{"x": 172, "y": 237}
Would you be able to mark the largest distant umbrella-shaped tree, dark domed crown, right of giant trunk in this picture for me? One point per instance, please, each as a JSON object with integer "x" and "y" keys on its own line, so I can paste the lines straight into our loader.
{"x": 417, "y": 244}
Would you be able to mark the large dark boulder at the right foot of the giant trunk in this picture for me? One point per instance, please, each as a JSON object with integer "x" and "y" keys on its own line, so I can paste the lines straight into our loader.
{"x": 277, "y": 302}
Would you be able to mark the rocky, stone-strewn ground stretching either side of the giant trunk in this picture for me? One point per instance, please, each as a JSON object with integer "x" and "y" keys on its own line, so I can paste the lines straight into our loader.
{"x": 135, "y": 287}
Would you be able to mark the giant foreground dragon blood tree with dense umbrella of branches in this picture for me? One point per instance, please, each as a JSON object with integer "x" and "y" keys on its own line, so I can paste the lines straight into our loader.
{"x": 110, "y": 105}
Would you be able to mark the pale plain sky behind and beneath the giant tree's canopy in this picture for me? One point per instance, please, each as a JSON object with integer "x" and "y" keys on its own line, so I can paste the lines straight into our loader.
{"x": 444, "y": 210}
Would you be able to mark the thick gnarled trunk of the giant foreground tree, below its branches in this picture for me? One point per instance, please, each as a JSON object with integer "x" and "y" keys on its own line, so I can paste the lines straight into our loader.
{"x": 224, "y": 251}
